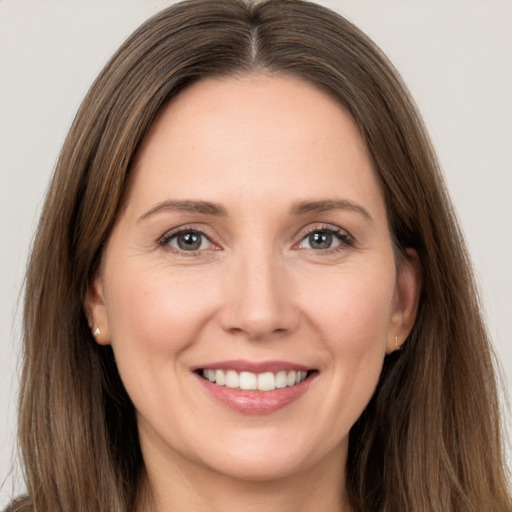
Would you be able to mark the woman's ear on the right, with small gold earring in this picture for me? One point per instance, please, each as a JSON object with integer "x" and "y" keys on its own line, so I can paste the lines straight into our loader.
{"x": 407, "y": 293}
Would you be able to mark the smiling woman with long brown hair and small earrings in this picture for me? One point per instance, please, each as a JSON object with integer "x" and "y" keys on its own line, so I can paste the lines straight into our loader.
{"x": 248, "y": 287}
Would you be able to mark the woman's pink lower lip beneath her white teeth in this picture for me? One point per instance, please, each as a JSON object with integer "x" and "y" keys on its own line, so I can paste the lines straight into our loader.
{"x": 256, "y": 402}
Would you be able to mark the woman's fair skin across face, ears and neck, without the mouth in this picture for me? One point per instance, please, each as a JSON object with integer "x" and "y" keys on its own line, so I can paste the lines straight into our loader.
{"x": 256, "y": 290}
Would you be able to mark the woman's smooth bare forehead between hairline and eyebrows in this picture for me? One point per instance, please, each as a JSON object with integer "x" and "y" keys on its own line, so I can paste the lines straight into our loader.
{"x": 255, "y": 134}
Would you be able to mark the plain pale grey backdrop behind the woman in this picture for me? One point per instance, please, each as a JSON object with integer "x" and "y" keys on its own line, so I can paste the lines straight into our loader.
{"x": 455, "y": 56}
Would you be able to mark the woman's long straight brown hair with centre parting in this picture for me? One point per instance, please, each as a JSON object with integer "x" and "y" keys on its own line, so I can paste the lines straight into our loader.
{"x": 430, "y": 437}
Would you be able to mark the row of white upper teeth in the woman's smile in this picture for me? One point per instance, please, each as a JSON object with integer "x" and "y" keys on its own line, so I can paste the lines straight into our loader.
{"x": 267, "y": 381}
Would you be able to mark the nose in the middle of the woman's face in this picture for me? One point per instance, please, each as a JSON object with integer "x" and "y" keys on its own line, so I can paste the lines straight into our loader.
{"x": 259, "y": 298}
